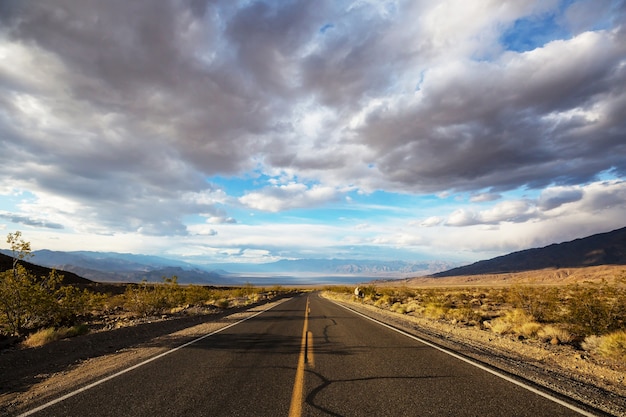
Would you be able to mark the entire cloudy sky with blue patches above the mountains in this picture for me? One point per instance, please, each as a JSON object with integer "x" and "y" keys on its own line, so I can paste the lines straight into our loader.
{"x": 253, "y": 131}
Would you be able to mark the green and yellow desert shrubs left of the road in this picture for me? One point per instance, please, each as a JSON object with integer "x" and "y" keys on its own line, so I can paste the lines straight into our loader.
{"x": 39, "y": 309}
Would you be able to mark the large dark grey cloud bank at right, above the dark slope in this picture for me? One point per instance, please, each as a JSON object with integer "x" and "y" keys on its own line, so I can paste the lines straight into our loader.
{"x": 534, "y": 119}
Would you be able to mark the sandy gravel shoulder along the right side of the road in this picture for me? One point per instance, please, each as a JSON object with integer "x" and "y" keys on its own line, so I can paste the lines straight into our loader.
{"x": 560, "y": 370}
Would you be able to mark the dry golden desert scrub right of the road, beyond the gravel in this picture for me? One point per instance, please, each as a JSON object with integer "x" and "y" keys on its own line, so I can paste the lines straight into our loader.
{"x": 589, "y": 316}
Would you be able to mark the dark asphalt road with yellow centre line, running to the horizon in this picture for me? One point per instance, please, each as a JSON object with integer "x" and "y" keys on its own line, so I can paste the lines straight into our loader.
{"x": 320, "y": 361}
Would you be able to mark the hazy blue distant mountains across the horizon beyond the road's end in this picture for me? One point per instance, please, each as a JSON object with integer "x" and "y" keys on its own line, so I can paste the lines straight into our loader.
{"x": 124, "y": 267}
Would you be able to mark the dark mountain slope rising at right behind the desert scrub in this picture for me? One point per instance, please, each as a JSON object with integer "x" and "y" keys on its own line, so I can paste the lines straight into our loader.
{"x": 601, "y": 249}
